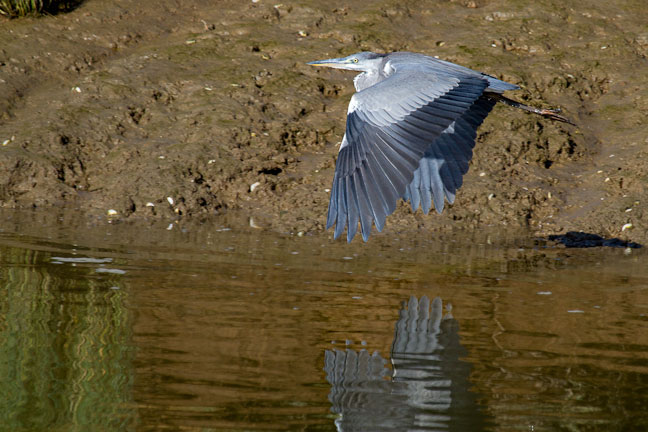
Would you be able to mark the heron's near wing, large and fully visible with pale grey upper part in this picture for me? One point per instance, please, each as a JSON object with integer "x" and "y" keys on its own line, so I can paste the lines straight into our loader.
{"x": 390, "y": 126}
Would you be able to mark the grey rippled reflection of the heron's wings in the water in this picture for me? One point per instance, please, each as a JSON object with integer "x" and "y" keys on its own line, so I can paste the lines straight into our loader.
{"x": 427, "y": 389}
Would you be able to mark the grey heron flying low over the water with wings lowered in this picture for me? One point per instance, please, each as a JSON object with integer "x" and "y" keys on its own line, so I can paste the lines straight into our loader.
{"x": 410, "y": 131}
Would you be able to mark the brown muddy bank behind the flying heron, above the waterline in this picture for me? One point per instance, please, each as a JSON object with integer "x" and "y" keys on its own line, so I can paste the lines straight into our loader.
{"x": 155, "y": 110}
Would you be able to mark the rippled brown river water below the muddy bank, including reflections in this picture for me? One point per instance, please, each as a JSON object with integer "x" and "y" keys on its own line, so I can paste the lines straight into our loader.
{"x": 216, "y": 327}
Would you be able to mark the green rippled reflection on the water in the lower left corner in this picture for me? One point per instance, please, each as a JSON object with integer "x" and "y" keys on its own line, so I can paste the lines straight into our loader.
{"x": 65, "y": 347}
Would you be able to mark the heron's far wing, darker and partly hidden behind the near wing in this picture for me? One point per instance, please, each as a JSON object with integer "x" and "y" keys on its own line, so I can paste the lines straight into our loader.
{"x": 444, "y": 163}
